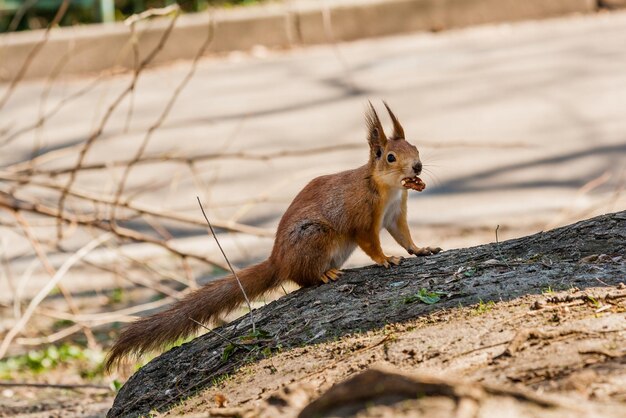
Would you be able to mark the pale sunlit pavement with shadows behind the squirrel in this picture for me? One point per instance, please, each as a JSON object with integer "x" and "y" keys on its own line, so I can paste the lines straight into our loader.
{"x": 512, "y": 121}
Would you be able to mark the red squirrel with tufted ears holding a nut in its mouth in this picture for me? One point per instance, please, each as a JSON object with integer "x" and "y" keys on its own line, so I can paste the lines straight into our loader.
{"x": 326, "y": 221}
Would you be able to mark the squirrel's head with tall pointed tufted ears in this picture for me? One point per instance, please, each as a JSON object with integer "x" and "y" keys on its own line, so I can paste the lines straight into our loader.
{"x": 391, "y": 158}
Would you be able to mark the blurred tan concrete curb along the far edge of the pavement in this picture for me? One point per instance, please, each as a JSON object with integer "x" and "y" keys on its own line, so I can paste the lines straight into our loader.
{"x": 99, "y": 47}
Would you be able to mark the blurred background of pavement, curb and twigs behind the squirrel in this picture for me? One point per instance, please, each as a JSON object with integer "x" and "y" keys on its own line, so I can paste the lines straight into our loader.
{"x": 116, "y": 115}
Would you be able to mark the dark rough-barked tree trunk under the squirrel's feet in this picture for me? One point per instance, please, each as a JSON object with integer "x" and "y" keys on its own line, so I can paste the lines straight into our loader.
{"x": 370, "y": 297}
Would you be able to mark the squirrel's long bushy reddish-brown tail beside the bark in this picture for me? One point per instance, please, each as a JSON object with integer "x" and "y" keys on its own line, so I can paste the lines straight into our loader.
{"x": 203, "y": 305}
